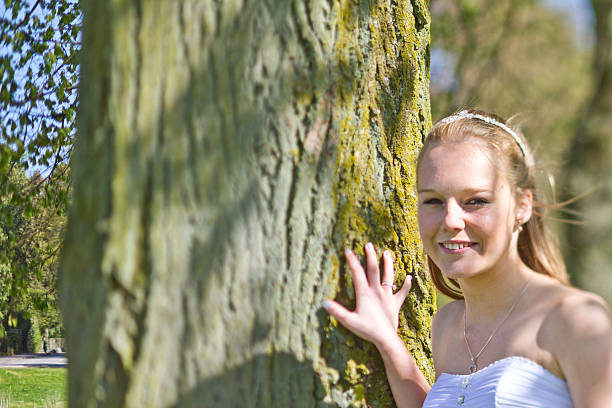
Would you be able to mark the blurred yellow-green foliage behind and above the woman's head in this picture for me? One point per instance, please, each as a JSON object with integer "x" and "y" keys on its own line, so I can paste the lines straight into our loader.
{"x": 513, "y": 57}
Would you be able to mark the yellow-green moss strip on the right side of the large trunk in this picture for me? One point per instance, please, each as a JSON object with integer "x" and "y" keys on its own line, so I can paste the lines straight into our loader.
{"x": 381, "y": 111}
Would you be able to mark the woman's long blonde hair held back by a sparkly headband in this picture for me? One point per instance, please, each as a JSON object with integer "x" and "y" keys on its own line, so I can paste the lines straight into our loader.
{"x": 536, "y": 246}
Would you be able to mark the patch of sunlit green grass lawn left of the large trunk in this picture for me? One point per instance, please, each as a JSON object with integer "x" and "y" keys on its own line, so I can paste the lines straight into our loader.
{"x": 33, "y": 387}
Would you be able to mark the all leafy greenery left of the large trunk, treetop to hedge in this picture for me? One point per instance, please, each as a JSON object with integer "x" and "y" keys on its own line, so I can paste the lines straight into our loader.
{"x": 39, "y": 54}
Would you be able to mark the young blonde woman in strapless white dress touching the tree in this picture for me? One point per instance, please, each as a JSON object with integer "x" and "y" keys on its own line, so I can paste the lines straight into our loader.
{"x": 517, "y": 335}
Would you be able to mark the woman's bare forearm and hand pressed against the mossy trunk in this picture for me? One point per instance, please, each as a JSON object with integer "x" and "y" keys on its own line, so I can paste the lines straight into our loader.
{"x": 375, "y": 319}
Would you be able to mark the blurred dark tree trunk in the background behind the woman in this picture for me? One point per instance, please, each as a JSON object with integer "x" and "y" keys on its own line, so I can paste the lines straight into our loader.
{"x": 590, "y": 166}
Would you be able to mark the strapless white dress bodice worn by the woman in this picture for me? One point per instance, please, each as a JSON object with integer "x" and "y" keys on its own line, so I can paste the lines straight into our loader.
{"x": 509, "y": 382}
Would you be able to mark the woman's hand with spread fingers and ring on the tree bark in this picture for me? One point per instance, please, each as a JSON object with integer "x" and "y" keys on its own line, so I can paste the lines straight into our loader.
{"x": 376, "y": 313}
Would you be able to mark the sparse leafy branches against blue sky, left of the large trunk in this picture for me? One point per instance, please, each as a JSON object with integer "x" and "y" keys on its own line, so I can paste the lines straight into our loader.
{"x": 39, "y": 74}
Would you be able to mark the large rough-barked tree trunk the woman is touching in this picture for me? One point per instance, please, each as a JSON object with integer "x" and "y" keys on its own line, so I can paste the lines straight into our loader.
{"x": 227, "y": 153}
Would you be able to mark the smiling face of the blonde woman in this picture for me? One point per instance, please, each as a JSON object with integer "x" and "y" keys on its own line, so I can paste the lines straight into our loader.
{"x": 467, "y": 211}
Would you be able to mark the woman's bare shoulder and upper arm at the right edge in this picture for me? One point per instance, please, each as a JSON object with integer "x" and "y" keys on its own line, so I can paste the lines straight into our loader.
{"x": 579, "y": 334}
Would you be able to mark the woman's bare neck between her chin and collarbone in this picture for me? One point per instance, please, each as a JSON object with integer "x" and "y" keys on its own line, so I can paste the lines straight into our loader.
{"x": 489, "y": 294}
